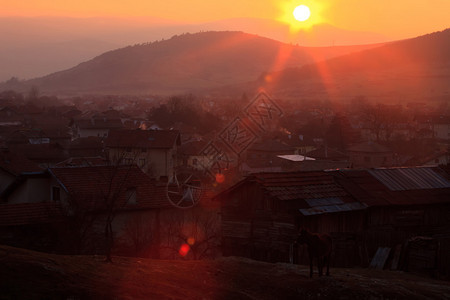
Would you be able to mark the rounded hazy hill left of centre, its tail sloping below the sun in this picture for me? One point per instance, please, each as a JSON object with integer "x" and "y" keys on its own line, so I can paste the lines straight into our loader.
{"x": 185, "y": 63}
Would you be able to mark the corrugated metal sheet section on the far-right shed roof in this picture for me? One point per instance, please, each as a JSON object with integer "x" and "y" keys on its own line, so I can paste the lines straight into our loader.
{"x": 402, "y": 179}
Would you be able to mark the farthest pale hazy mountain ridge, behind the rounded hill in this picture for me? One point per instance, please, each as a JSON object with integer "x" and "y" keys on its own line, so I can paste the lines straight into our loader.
{"x": 32, "y": 47}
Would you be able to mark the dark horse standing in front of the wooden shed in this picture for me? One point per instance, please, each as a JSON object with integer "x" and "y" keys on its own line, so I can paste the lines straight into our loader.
{"x": 319, "y": 246}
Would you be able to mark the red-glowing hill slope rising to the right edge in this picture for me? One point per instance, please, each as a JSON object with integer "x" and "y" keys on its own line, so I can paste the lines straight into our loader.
{"x": 416, "y": 69}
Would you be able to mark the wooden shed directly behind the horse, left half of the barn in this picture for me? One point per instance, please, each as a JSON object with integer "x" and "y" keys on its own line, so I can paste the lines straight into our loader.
{"x": 262, "y": 214}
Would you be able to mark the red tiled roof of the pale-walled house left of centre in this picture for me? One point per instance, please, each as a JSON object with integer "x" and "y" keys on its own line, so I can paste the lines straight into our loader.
{"x": 143, "y": 138}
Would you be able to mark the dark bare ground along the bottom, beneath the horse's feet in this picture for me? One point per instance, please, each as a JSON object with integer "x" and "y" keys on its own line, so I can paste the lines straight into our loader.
{"x": 32, "y": 275}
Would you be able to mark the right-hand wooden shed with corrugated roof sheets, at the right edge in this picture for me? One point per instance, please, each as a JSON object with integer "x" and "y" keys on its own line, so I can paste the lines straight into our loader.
{"x": 403, "y": 203}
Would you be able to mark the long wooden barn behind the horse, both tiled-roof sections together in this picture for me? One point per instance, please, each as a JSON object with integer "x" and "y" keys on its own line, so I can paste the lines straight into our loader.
{"x": 362, "y": 209}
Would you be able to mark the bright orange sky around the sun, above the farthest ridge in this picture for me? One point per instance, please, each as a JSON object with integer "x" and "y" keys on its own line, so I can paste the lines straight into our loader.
{"x": 392, "y": 18}
